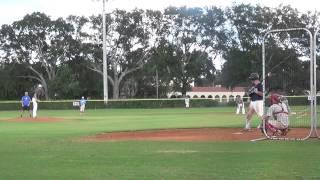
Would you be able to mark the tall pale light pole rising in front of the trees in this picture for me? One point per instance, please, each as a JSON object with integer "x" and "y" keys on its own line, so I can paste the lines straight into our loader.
{"x": 105, "y": 65}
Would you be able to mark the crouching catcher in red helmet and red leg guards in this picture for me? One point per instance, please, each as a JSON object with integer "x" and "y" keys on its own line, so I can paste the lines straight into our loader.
{"x": 277, "y": 118}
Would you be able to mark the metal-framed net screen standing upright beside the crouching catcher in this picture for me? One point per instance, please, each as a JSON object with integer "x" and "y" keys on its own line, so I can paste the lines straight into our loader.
{"x": 287, "y": 70}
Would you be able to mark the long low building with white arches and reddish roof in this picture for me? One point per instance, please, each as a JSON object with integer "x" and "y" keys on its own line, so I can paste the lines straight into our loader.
{"x": 219, "y": 93}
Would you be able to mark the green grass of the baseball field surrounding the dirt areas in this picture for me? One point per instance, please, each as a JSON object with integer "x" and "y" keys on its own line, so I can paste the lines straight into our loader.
{"x": 32, "y": 150}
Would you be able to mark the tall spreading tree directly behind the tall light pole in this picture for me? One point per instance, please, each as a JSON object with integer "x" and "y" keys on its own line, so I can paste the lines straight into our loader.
{"x": 128, "y": 46}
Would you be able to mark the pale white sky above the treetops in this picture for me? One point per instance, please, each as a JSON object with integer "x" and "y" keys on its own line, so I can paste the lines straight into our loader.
{"x": 11, "y": 10}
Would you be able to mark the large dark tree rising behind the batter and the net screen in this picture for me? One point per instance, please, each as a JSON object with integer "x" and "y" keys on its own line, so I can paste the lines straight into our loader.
{"x": 284, "y": 51}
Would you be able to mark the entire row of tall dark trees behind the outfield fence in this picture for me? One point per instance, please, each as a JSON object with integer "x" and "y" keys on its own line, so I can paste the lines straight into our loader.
{"x": 146, "y": 50}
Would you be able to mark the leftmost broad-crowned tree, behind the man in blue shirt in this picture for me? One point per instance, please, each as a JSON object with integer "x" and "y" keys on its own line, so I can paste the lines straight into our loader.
{"x": 38, "y": 43}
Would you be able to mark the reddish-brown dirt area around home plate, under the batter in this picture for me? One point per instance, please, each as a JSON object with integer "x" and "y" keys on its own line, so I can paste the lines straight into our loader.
{"x": 203, "y": 134}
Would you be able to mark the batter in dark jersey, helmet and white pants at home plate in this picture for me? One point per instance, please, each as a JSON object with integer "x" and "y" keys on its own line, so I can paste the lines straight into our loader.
{"x": 256, "y": 100}
